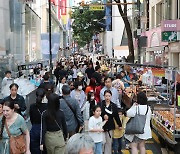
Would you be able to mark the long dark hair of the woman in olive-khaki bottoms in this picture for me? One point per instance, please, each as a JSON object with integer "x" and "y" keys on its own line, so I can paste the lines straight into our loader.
{"x": 52, "y": 106}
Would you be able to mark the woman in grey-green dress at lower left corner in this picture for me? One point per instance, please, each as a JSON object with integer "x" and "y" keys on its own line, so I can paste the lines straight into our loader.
{"x": 15, "y": 124}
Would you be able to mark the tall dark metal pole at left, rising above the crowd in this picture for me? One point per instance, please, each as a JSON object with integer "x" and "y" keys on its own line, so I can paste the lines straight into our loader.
{"x": 50, "y": 52}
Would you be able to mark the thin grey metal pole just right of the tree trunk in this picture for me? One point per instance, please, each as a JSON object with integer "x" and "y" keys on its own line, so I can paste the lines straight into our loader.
{"x": 138, "y": 28}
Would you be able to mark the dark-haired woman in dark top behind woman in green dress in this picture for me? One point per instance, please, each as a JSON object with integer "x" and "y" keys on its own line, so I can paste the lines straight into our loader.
{"x": 18, "y": 100}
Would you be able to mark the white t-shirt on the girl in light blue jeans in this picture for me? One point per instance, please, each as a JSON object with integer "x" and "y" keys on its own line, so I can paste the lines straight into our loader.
{"x": 96, "y": 123}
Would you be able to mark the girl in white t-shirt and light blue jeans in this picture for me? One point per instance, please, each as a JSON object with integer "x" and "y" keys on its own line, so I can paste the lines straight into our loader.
{"x": 95, "y": 129}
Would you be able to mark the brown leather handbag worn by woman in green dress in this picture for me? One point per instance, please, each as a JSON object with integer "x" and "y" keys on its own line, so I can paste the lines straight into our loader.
{"x": 17, "y": 143}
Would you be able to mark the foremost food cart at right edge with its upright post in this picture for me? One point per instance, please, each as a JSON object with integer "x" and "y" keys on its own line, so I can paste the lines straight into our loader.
{"x": 166, "y": 118}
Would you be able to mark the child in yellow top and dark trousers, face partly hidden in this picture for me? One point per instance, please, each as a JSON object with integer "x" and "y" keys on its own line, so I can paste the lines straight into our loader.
{"x": 118, "y": 134}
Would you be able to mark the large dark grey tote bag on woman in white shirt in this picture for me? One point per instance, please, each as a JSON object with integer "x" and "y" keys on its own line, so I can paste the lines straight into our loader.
{"x": 136, "y": 124}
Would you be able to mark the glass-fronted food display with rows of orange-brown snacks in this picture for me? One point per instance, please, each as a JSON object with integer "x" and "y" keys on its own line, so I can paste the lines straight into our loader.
{"x": 166, "y": 122}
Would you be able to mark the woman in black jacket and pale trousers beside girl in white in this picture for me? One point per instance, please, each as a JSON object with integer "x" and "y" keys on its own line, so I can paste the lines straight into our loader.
{"x": 109, "y": 113}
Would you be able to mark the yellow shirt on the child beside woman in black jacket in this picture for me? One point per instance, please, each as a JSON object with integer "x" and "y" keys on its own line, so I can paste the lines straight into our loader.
{"x": 117, "y": 132}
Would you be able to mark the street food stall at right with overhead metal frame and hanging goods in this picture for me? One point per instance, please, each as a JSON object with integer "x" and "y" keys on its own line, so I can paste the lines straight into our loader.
{"x": 165, "y": 108}
